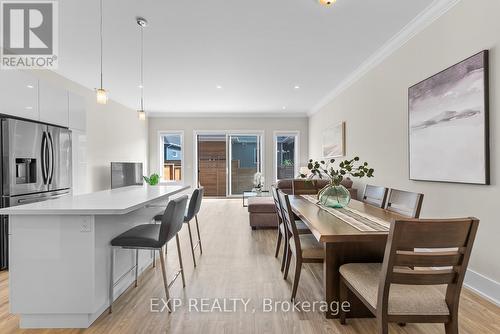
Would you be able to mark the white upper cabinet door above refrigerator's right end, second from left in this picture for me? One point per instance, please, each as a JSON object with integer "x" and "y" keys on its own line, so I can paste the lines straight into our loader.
{"x": 53, "y": 104}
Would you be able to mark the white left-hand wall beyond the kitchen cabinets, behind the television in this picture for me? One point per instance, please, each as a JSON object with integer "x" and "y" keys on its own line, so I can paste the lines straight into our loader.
{"x": 114, "y": 133}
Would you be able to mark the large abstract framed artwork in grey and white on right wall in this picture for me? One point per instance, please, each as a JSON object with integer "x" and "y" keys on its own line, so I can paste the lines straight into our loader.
{"x": 448, "y": 125}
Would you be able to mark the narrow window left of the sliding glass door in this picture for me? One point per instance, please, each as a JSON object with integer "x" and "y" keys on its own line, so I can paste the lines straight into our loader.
{"x": 171, "y": 156}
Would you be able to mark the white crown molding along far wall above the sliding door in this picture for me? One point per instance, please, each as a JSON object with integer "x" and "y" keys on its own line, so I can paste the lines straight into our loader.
{"x": 208, "y": 114}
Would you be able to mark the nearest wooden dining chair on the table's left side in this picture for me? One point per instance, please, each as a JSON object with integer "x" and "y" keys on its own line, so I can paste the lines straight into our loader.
{"x": 303, "y": 247}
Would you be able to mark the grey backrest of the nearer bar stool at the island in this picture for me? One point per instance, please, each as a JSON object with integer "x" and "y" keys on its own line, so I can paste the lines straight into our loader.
{"x": 173, "y": 218}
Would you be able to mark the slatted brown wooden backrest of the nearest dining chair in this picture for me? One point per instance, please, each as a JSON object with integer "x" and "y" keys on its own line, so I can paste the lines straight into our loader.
{"x": 448, "y": 267}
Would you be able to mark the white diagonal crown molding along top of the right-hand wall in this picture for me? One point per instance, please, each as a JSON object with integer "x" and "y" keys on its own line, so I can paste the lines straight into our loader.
{"x": 434, "y": 11}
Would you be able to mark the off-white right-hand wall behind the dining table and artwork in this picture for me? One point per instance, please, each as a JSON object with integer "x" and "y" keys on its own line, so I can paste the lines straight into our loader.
{"x": 375, "y": 110}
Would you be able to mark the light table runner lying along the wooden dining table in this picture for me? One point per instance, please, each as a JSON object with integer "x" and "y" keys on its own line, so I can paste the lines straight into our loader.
{"x": 357, "y": 219}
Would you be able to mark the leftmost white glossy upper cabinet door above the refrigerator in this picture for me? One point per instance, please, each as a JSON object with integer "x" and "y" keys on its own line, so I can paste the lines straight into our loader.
{"x": 18, "y": 94}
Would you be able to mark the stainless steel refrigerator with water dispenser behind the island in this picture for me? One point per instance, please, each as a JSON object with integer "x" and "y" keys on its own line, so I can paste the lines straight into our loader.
{"x": 36, "y": 166}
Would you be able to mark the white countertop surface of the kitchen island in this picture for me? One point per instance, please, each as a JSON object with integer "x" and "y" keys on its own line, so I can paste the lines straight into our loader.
{"x": 108, "y": 202}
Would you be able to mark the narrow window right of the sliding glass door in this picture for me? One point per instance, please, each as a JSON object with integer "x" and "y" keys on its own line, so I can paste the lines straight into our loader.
{"x": 286, "y": 155}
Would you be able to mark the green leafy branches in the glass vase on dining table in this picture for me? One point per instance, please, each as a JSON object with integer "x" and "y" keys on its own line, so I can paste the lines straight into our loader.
{"x": 346, "y": 168}
